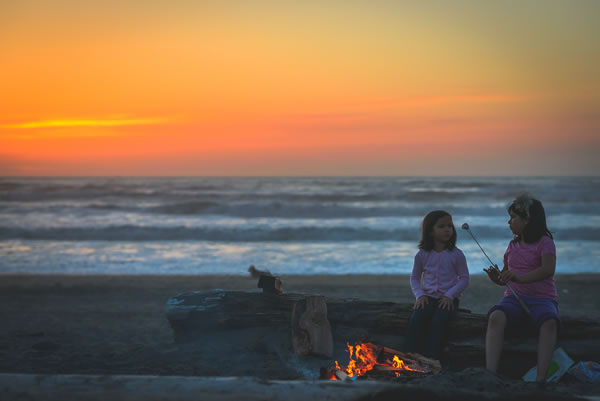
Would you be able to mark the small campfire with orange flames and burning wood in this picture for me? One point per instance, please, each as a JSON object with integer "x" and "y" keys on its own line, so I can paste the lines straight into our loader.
{"x": 368, "y": 359}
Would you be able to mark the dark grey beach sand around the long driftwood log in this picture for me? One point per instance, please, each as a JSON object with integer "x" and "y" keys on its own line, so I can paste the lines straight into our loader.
{"x": 116, "y": 325}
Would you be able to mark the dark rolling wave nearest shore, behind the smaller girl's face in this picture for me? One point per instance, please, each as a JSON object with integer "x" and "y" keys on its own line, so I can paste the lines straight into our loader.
{"x": 284, "y": 234}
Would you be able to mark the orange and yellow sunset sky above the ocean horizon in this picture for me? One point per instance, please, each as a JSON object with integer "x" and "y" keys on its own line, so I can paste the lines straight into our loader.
{"x": 254, "y": 87}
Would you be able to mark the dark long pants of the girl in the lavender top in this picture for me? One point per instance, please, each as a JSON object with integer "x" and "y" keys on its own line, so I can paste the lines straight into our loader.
{"x": 426, "y": 329}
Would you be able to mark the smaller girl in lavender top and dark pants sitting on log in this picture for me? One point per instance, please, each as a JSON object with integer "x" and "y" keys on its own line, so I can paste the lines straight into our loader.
{"x": 439, "y": 277}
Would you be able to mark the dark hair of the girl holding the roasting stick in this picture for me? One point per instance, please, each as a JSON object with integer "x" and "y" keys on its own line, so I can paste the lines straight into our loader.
{"x": 531, "y": 209}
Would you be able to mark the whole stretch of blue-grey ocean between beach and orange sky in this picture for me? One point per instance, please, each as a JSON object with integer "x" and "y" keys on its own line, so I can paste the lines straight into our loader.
{"x": 316, "y": 225}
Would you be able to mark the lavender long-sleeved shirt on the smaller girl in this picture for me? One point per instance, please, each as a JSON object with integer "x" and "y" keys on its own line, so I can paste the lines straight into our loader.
{"x": 443, "y": 274}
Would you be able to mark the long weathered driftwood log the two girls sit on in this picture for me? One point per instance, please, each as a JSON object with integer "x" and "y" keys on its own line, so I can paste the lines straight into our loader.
{"x": 194, "y": 315}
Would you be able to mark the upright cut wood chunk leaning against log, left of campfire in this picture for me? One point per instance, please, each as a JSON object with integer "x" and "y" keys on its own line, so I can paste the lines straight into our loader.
{"x": 311, "y": 332}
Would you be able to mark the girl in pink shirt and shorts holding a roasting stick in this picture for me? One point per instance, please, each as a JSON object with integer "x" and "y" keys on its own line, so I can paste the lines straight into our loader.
{"x": 529, "y": 265}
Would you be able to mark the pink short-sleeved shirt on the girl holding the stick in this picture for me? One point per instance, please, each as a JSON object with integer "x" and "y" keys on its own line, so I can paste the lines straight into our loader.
{"x": 523, "y": 258}
